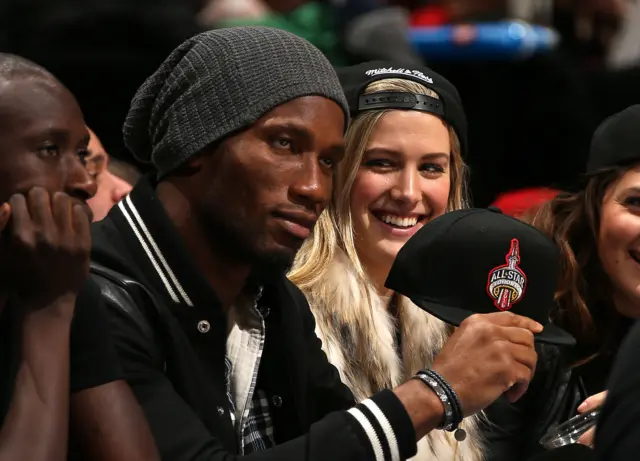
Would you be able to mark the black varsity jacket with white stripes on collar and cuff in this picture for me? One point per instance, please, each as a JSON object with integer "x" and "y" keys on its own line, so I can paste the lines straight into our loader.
{"x": 178, "y": 373}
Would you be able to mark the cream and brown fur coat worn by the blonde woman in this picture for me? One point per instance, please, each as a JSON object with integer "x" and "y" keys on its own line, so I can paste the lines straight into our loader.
{"x": 362, "y": 346}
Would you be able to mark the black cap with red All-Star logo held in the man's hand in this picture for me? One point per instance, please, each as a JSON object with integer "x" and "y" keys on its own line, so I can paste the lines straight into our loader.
{"x": 480, "y": 261}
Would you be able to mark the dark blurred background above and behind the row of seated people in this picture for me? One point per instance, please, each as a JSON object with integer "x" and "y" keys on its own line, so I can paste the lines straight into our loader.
{"x": 535, "y": 76}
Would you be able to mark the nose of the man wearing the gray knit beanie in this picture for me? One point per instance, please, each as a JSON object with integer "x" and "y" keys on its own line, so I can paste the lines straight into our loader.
{"x": 311, "y": 186}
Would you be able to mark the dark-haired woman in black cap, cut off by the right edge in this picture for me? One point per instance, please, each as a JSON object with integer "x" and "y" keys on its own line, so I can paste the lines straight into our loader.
{"x": 598, "y": 231}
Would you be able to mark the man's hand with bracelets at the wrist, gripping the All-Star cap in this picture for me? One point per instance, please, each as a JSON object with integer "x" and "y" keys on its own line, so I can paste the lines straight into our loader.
{"x": 487, "y": 356}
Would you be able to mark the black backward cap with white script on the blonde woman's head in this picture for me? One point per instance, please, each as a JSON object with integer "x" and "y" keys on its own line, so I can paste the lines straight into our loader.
{"x": 355, "y": 79}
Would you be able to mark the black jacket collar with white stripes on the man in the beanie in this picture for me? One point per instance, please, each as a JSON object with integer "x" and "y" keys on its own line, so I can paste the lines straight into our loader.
{"x": 159, "y": 254}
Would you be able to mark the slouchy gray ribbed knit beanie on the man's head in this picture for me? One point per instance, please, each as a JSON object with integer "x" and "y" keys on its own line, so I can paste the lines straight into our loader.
{"x": 218, "y": 82}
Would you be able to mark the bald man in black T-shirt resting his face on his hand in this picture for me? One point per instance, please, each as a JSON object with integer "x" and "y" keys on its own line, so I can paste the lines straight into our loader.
{"x": 58, "y": 366}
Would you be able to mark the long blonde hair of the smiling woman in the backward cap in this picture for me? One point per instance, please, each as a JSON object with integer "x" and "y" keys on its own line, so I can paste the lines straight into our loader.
{"x": 334, "y": 229}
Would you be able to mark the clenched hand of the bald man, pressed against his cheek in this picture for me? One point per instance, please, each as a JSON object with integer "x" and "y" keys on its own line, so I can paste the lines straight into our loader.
{"x": 47, "y": 244}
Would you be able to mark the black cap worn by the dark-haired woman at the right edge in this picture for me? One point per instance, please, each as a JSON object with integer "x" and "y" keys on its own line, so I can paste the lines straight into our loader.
{"x": 616, "y": 142}
